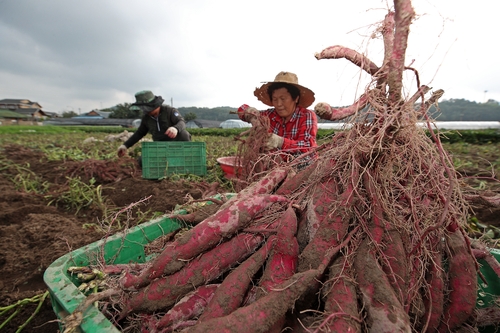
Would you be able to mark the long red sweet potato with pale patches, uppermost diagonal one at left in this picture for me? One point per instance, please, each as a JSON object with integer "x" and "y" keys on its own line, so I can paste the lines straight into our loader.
{"x": 202, "y": 237}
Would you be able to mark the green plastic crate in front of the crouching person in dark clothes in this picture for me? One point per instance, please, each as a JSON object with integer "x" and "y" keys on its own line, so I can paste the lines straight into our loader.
{"x": 164, "y": 158}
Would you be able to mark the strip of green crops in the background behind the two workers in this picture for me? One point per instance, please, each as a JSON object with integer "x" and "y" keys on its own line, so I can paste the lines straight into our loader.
{"x": 472, "y": 151}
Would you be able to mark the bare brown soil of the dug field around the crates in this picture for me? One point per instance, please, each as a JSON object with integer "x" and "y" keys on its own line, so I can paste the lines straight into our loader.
{"x": 33, "y": 234}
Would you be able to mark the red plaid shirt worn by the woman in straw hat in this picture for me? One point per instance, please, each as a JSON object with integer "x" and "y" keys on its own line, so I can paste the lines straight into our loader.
{"x": 299, "y": 132}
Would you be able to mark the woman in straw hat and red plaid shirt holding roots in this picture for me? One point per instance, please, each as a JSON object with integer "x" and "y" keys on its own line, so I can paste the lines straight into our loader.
{"x": 292, "y": 125}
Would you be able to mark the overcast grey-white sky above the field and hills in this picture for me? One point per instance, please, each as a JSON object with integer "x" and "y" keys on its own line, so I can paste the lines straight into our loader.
{"x": 75, "y": 55}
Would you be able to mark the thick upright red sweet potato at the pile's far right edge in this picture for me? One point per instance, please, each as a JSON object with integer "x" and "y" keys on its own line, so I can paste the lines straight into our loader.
{"x": 462, "y": 283}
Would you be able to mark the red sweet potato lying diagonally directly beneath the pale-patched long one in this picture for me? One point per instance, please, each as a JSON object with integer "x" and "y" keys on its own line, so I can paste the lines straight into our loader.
{"x": 163, "y": 292}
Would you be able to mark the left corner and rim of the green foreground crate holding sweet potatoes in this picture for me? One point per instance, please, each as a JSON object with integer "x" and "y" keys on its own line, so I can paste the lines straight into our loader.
{"x": 119, "y": 249}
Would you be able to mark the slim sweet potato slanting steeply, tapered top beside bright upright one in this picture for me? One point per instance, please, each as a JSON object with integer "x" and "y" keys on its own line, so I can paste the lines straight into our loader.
{"x": 233, "y": 289}
